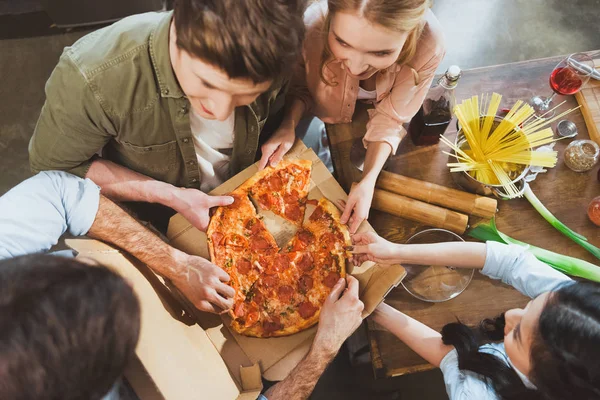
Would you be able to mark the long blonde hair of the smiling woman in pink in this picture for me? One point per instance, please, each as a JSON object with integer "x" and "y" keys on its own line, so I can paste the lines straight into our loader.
{"x": 397, "y": 15}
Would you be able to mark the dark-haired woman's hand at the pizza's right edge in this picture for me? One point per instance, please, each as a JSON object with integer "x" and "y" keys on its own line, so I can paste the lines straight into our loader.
{"x": 369, "y": 246}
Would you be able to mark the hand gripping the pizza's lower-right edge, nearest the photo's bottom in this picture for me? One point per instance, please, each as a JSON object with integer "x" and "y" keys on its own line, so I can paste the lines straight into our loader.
{"x": 340, "y": 316}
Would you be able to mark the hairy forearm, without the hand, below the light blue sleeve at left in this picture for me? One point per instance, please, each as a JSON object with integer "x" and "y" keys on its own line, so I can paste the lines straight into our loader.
{"x": 113, "y": 225}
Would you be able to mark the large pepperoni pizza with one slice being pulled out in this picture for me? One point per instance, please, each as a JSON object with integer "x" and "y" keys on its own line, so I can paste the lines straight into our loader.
{"x": 278, "y": 291}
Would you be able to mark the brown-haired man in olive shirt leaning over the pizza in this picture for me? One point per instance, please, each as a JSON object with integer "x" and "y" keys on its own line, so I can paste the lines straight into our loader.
{"x": 119, "y": 103}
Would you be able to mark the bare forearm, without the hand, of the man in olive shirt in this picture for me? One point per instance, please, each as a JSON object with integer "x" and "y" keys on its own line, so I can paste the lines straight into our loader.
{"x": 122, "y": 184}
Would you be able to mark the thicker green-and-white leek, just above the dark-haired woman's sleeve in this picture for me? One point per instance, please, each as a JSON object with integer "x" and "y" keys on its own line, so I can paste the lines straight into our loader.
{"x": 568, "y": 265}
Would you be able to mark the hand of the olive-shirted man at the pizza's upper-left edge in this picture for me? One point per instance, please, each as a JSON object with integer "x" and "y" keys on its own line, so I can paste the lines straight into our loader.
{"x": 195, "y": 205}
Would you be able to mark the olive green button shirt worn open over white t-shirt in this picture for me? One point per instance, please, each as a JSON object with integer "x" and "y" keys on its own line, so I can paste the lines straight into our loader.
{"x": 115, "y": 91}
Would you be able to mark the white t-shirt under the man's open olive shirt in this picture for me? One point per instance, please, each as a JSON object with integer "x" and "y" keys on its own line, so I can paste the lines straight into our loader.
{"x": 213, "y": 141}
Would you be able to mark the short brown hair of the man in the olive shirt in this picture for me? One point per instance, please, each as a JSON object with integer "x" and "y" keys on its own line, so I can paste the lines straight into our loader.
{"x": 255, "y": 39}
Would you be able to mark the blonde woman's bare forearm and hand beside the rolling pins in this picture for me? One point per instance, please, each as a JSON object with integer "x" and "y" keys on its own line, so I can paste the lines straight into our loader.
{"x": 356, "y": 209}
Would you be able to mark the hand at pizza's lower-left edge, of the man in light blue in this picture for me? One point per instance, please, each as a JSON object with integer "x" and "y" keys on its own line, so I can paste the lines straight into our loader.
{"x": 203, "y": 283}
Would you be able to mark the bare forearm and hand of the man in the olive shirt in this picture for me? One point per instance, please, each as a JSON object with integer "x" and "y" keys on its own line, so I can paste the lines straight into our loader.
{"x": 122, "y": 184}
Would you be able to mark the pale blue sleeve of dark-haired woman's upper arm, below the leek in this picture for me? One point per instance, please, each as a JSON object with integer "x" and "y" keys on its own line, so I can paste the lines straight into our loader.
{"x": 517, "y": 267}
